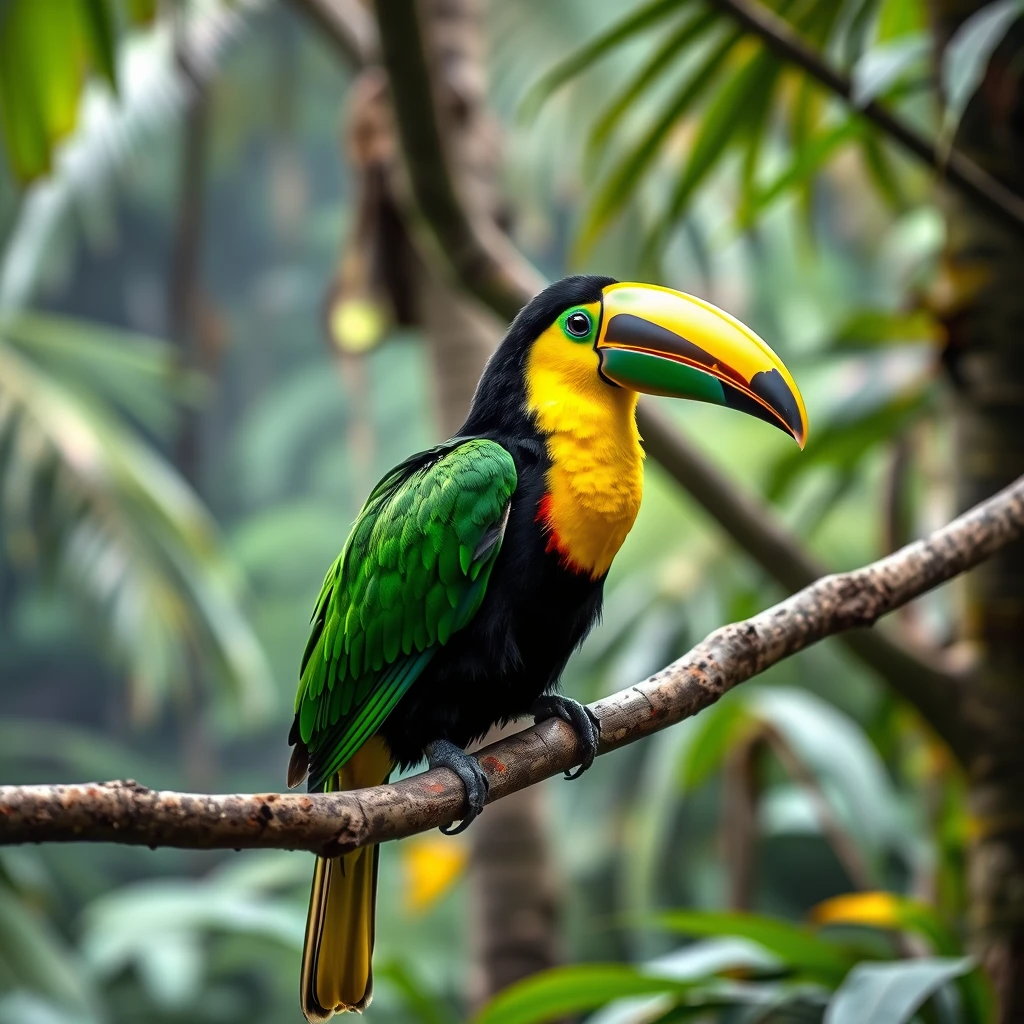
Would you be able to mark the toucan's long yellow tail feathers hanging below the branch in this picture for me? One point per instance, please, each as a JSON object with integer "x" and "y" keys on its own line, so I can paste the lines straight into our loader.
{"x": 336, "y": 958}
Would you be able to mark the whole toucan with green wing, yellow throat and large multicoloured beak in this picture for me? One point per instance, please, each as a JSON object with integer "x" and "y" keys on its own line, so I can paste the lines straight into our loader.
{"x": 476, "y": 569}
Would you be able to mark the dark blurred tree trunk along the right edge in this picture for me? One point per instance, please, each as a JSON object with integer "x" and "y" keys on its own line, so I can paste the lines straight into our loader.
{"x": 984, "y": 310}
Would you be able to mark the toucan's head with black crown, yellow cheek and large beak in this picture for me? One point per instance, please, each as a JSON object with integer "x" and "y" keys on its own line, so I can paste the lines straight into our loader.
{"x": 601, "y": 342}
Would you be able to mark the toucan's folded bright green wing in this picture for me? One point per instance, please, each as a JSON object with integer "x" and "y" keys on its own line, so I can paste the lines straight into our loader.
{"x": 414, "y": 572}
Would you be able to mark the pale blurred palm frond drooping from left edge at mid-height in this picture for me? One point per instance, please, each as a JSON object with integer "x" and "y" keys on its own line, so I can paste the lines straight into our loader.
{"x": 79, "y": 492}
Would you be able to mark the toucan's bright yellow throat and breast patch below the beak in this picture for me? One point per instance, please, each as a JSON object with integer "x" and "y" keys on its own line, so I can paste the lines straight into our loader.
{"x": 595, "y": 482}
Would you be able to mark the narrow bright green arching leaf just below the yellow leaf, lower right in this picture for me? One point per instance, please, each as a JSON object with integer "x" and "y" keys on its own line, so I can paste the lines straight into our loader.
{"x": 798, "y": 948}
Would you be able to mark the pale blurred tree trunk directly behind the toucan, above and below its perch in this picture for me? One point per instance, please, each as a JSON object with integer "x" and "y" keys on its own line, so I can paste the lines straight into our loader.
{"x": 515, "y": 905}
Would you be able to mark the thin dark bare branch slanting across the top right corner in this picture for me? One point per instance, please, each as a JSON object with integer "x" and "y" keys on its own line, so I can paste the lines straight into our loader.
{"x": 958, "y": 170}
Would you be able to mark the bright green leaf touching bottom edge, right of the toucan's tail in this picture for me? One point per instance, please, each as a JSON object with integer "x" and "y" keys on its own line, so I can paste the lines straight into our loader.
{"x": 566, "y": 991}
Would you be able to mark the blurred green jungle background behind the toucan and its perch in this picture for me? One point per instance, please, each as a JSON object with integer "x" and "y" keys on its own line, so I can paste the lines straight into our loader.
{"x": 222, "y": 319}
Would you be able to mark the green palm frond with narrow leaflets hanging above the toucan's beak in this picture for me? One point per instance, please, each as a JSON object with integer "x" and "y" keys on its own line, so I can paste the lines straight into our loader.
{"x": 737, "y": 99}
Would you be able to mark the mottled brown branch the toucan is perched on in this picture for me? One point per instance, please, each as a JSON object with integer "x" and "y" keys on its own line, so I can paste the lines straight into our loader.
{"x": 334, "y": 824}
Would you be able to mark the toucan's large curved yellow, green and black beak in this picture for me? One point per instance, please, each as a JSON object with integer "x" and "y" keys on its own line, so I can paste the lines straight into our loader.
{"x": 660, "y": 342}
